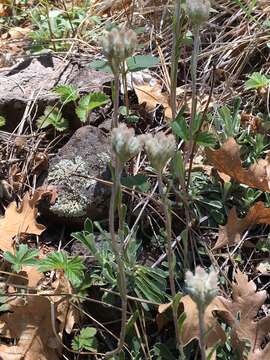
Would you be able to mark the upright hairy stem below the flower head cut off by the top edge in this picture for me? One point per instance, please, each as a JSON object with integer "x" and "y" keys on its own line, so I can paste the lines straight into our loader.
{"x": 194, "y": 63}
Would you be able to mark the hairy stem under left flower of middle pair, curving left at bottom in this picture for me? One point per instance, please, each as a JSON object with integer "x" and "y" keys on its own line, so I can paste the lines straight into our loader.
{"x": 115, "y": 198}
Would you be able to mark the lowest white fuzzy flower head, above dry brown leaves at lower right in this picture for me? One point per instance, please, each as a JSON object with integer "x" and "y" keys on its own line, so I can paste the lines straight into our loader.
{"x": 202, "y": 286}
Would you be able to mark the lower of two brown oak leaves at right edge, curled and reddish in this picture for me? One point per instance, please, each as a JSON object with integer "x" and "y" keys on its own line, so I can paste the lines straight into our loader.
{"x": 230, "y": 234}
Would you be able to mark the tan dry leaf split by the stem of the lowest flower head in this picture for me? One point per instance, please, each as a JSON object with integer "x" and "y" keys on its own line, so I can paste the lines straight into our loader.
{"x": 191, "y": 331}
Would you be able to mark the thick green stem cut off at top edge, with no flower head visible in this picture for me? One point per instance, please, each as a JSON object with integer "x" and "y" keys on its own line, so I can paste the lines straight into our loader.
{"x": 177, "y": 25}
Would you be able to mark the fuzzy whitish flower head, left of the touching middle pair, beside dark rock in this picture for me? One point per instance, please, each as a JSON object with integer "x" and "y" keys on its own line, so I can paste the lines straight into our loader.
{"x": 124, "y": 143}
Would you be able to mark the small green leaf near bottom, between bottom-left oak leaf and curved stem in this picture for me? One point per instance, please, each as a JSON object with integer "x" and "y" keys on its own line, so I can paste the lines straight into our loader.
{"x": 85, "y": 340}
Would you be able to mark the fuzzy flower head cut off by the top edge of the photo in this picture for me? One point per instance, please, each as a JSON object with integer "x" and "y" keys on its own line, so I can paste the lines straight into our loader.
{"x": 198, "y": 11}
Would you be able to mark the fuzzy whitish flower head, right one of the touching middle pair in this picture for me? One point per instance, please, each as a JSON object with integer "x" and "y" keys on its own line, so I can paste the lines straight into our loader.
{"x": 159, "y": 148}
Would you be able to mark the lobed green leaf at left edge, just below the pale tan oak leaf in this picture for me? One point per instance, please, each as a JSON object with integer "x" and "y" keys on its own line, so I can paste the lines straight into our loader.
{"x": 23, "y": 256}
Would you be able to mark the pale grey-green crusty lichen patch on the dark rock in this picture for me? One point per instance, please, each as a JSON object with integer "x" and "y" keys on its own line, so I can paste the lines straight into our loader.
{"x": 76, "y": 189}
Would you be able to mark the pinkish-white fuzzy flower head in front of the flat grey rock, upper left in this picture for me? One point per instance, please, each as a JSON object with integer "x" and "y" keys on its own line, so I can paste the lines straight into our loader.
{"x": 118, "y": 45}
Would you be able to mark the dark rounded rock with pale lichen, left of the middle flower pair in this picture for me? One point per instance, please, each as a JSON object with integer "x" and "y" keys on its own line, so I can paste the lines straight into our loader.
{"x": 75, "y": 172}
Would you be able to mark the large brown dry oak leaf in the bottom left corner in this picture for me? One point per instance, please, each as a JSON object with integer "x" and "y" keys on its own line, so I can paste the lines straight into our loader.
{"x": 30, "y": 324}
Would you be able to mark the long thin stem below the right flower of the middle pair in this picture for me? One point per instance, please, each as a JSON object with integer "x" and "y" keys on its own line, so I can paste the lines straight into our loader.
{"x": 169, "y": 251}
